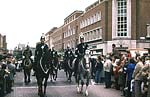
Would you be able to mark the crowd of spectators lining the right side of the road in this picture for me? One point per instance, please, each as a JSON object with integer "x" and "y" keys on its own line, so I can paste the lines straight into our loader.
{"x": 123, "y": 72}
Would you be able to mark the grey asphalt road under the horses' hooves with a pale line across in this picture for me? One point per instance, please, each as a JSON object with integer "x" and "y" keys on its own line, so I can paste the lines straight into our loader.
{"x": 60, "y": 88}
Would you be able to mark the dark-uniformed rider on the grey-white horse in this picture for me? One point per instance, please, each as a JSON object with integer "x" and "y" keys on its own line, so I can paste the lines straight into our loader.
{"x": 80, "y": 51}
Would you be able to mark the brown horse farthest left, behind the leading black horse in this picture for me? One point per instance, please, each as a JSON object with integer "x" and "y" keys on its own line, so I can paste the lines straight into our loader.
{"x": 27, "y": 65}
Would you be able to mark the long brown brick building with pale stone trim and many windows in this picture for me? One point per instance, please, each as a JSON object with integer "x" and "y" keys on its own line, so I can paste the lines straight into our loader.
{"x": 125, "y": 23}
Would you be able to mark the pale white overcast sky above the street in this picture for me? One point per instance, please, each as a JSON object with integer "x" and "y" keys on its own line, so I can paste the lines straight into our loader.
{"x": 24, "y": 21}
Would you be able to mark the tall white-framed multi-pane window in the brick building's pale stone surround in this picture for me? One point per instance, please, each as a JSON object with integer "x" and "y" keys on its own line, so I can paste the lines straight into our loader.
{"x": 122, "y": 18}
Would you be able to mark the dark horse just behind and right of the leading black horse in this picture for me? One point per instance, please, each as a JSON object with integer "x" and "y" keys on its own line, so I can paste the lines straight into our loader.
{"x": 54, "y": 68}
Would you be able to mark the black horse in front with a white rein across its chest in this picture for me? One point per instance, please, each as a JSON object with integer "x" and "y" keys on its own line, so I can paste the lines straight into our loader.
{"x": 42, "y": 73}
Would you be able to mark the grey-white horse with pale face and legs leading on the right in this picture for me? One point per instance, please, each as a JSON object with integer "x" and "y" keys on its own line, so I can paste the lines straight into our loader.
{"x": 83, "y": 72}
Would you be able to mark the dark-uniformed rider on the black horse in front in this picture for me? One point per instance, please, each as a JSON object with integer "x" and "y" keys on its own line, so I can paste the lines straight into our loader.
{"x": 41, "y": 48}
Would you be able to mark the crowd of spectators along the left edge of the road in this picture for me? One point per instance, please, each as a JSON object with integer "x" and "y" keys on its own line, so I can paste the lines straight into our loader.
{"x": 7, "y": 72}
